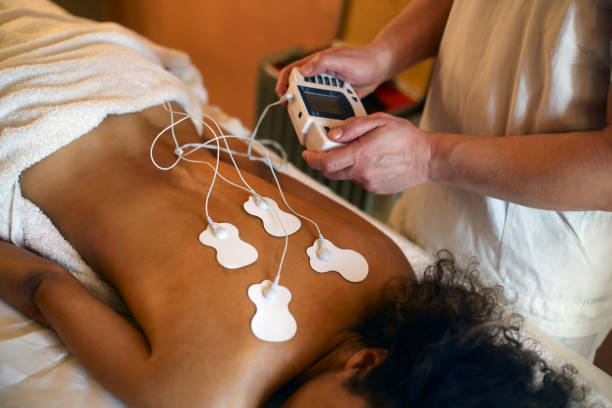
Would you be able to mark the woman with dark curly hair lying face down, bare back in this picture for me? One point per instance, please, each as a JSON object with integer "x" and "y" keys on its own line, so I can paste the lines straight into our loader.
{"x": 386, "y": 341}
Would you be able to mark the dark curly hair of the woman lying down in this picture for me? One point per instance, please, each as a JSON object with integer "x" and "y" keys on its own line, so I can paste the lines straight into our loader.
{"x": 452, "y": 344}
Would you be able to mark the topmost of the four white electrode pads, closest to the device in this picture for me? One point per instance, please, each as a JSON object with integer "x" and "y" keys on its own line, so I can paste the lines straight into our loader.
{"x": 267, "y": 210}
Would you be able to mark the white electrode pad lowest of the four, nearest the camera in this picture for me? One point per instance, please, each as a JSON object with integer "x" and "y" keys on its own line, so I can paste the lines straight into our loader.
{"x": 272, "y": 320}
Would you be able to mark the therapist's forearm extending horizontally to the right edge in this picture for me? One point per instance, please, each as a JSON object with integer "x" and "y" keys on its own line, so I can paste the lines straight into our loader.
{"x": 569, "y": 171}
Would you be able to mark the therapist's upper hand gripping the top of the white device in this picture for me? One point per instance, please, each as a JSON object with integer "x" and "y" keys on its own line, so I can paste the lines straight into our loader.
{"x": 363, "y": 68}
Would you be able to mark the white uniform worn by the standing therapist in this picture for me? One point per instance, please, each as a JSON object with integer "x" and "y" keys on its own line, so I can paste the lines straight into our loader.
{"x": 518, "y": 67}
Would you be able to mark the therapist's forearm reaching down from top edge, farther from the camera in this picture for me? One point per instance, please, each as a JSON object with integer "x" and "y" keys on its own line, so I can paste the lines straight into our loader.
{"x": 413, "y": 36}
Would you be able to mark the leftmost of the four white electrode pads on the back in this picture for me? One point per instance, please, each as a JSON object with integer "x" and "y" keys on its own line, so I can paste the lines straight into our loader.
{"x": 232, "y": 252}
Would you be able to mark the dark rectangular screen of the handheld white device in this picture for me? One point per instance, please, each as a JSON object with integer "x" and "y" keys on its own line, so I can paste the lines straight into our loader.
{"x": 324, "y": 103}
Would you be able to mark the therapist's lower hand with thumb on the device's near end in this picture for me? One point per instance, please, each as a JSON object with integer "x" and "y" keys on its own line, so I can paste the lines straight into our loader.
{"x": 385, "y": 154}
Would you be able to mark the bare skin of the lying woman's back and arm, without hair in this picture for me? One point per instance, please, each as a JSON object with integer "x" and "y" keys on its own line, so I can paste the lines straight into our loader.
{"x": 138, "y": 226}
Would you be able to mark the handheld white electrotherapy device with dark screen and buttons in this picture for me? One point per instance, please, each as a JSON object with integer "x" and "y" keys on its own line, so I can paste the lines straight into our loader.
{"x": 319, "y": 103}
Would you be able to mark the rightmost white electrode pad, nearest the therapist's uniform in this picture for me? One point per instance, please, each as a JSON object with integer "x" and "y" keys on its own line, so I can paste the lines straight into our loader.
{"x": 327, "y": 257}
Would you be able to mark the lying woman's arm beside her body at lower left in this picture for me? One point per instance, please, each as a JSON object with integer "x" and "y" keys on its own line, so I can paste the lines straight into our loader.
{"x": 110, "y": 349}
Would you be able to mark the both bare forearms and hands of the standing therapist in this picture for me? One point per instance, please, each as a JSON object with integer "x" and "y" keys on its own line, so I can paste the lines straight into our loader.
{"x": 387, "y": 154}
